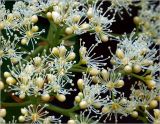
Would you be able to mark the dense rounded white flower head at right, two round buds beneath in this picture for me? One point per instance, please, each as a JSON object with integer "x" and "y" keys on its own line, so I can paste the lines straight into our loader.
{"x": 137, "y": 52}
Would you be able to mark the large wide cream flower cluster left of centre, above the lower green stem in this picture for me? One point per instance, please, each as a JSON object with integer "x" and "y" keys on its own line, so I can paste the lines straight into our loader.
{"x": 42, "y": 75}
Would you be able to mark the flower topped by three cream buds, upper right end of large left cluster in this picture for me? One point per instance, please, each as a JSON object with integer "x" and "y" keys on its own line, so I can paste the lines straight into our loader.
{"x": 63, "y": 61}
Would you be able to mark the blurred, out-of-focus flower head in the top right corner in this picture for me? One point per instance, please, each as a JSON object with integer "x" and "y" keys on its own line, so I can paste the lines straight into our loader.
{"x": 149, "y": 21}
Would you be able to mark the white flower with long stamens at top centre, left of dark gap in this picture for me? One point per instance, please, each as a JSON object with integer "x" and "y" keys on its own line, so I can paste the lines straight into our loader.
{"x": 100, "y": 21}
